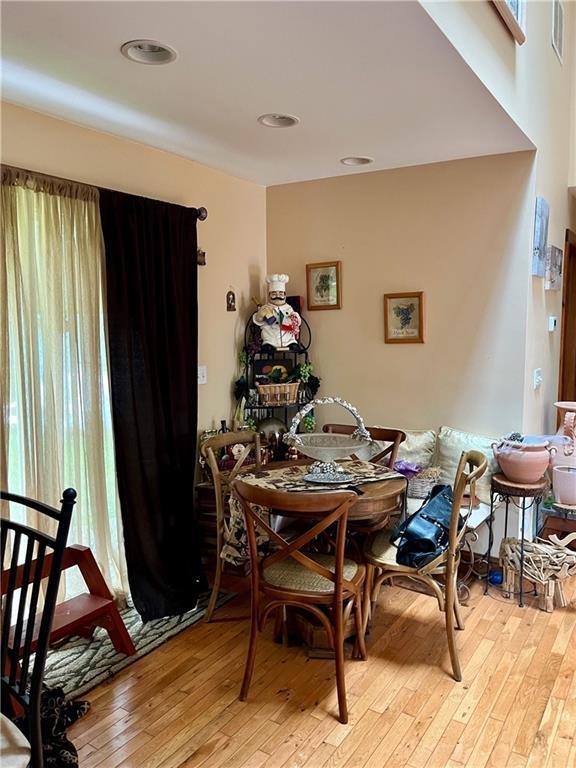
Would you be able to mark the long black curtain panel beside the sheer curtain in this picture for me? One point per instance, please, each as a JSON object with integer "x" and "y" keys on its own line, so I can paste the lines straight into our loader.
{"x": 152, "y": 330}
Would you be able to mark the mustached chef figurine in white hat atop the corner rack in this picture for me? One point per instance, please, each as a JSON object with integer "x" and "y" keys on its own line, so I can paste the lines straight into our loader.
{"x": 279, "y": 323}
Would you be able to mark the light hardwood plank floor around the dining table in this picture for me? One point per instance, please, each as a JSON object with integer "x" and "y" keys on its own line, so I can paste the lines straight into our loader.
{"x": 516, "y": 707}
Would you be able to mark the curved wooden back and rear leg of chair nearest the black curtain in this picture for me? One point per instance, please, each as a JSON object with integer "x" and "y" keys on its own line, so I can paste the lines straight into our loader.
{"x": 211, "y": 451}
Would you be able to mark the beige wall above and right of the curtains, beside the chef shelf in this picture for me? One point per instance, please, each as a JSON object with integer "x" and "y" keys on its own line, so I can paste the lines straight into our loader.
{"x": 233, "y": 235}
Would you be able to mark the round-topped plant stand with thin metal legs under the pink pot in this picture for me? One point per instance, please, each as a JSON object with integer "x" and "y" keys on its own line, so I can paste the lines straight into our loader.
{"x": 529, "y": 495}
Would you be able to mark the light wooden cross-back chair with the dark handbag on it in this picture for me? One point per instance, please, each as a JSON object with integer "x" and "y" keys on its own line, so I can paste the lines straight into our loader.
{"x": 440, "y": 574}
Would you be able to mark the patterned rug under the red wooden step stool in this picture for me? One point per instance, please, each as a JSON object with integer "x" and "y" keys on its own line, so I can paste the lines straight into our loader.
{"x": 79, "y": 664}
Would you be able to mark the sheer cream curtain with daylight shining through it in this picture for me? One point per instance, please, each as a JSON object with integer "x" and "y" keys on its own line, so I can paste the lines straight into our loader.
{"x": 56, "y": 429}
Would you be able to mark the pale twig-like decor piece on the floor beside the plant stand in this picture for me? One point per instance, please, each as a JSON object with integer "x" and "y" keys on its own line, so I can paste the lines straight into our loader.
{"x": 545, "y": 562}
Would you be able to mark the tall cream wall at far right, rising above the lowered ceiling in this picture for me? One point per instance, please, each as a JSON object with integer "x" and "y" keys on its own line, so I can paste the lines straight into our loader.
{"x": 536, "y": 90}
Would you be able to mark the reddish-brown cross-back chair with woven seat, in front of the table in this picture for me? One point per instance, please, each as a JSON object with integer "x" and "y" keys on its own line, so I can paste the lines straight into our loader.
{"x": 292, "y": 575}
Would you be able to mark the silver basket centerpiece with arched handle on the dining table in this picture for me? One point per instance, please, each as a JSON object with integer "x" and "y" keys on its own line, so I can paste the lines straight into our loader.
{"x": 326, "y": 447}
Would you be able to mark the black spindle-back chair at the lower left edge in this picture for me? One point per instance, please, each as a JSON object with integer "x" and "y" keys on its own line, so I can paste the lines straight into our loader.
{"x": 29, "y": 557}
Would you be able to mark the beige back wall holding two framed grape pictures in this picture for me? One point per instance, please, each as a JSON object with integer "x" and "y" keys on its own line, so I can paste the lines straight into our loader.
{"x": 449, "y": 229}
